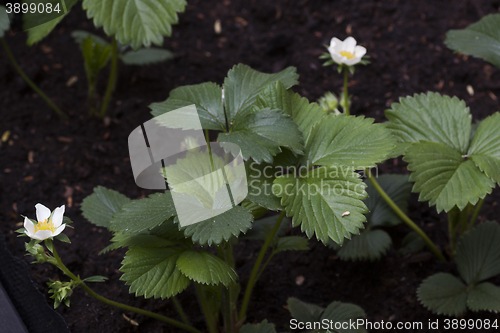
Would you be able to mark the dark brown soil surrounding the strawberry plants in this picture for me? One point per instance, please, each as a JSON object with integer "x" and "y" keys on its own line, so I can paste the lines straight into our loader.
{"x": 53, "y": 162}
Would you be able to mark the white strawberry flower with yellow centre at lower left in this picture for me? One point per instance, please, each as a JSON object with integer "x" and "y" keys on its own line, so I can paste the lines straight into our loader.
{"x": 49, "y": 224}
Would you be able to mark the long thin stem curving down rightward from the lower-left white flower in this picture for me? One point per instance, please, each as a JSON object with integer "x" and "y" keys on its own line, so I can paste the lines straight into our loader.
{"x": 92, "y": 293}
